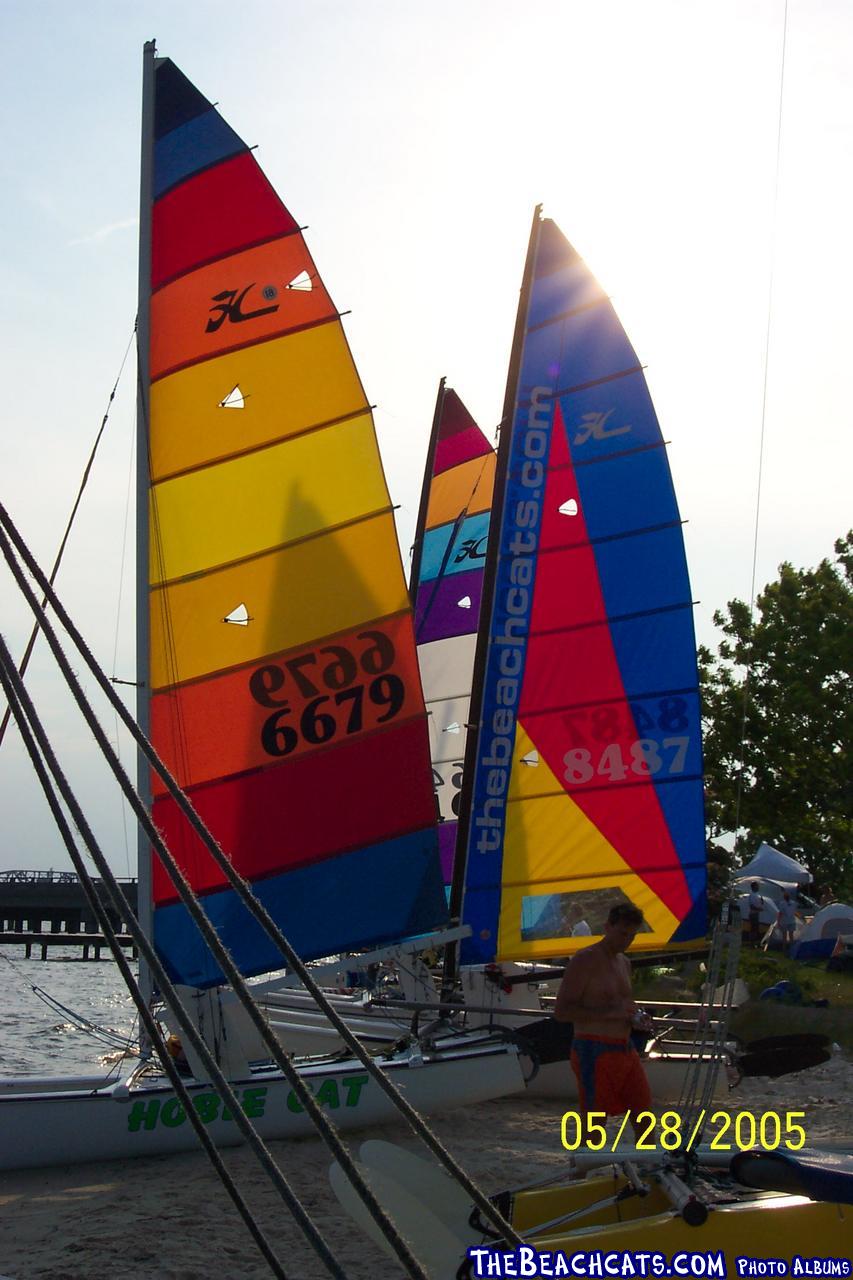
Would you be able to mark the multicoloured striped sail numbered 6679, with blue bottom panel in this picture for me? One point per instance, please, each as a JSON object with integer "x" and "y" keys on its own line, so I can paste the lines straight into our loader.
{"x": 284, "y": 675}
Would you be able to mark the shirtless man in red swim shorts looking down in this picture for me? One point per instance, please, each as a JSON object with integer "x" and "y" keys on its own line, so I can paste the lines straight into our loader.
{"x": 596, "y": 996}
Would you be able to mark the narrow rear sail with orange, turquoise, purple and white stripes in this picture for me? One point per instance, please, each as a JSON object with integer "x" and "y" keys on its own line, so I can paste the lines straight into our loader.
{"x": 446, "y": 589}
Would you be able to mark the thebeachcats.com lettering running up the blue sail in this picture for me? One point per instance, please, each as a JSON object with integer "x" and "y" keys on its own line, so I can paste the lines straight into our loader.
{"x": 512, "y": 619}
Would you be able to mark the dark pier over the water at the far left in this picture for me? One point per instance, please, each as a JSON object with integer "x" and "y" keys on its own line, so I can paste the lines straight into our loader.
{"x": 42, "y": 911}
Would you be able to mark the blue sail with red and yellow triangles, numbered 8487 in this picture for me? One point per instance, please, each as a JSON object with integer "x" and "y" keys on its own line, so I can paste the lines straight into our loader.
{"x": 589, "y": 774}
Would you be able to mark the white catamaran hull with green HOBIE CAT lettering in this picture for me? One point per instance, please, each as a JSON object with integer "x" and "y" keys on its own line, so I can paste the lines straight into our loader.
{"x": 147, "y": 1119}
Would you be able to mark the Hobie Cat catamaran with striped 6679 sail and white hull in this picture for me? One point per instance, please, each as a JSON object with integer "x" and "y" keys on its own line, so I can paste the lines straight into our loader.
{"x": 277, "y": 675}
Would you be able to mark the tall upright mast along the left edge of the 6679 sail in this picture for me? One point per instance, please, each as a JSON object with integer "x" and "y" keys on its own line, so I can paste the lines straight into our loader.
{"x": 143, "y": 629}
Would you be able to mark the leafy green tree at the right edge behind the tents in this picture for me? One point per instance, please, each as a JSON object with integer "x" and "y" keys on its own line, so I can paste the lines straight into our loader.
{"x": 778, "y": 719}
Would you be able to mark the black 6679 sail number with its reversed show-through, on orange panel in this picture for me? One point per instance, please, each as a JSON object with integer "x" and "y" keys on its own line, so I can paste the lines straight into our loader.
{"x": 344, "y": 708}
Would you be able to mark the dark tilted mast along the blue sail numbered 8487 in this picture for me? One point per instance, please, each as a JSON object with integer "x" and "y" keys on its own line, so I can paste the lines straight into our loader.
{"x": 472, "y": 746}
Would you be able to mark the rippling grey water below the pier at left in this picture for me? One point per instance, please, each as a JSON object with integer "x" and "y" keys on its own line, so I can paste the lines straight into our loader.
{"x": 37, "y": 1040}
